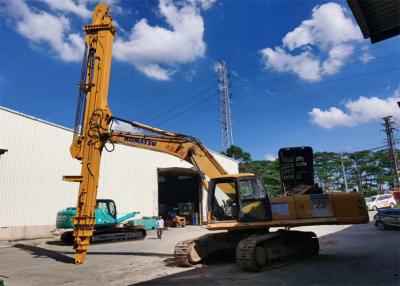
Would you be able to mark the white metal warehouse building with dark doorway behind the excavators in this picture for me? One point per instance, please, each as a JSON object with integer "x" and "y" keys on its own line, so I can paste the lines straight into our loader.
{"x": 34, "y": 155}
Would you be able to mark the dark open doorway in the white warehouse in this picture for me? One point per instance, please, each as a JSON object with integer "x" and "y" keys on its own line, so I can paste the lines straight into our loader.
{"x": 179, "y": 193}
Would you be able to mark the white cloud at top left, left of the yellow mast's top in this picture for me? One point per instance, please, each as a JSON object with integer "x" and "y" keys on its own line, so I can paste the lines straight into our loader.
{"x": 42, "y": 27}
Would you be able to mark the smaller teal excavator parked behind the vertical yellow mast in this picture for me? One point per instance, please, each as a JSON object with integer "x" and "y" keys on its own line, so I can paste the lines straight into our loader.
{"x": 107, "y": 227}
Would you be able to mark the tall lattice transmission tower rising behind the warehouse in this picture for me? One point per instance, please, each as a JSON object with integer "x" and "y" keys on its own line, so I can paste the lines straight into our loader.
{"x": 225, "y": 97}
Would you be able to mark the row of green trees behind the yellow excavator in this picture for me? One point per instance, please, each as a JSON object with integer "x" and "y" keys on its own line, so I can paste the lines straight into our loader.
{"x": 364, "y": 170}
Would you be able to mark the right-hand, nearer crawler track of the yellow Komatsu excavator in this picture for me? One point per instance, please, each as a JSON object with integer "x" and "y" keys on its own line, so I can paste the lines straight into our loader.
{"x": 257, "y": 251}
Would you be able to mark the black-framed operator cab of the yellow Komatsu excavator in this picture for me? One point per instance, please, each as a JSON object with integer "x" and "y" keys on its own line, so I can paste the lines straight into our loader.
{"x": 239, "y": 197}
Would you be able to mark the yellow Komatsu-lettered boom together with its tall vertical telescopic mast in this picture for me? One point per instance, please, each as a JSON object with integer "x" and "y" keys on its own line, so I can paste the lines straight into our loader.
{"x": 93, "y": 130}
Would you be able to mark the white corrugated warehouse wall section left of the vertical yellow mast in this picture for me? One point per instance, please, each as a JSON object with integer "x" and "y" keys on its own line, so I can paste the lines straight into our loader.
{"x": 31, "y": 186}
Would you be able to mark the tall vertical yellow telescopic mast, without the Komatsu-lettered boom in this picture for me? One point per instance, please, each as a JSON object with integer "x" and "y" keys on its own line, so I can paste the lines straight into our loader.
{"x": 92, "y": 122}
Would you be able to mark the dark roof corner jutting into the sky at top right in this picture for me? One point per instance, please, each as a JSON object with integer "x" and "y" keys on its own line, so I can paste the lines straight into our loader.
{"x": 378, "y": 20}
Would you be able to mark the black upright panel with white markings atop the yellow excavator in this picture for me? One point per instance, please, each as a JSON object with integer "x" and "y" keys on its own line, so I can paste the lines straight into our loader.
{"x": 296, "y": 167}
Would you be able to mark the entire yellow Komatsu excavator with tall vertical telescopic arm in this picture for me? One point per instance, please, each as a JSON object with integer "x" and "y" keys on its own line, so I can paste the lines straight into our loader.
{"x": 237, "y": 203}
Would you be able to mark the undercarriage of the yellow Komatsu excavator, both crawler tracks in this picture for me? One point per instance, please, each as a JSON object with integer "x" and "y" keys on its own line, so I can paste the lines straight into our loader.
{"x": 253, "y": 250}
